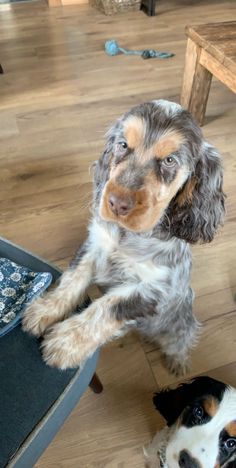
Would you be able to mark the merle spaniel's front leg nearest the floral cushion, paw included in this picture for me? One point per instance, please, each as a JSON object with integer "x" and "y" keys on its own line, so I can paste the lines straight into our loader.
{"x": 61, "y": 301}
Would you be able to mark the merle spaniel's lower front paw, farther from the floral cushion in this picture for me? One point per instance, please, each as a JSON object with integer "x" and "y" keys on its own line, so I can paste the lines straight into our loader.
{"x": 63, "y": 346}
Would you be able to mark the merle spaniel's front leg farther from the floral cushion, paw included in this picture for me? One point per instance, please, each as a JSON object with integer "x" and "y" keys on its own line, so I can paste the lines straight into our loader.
{"x": 71, "y": 342}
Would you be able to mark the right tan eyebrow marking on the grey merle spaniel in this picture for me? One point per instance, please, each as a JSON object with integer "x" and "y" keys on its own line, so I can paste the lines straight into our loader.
{"x": 168, "y": 143}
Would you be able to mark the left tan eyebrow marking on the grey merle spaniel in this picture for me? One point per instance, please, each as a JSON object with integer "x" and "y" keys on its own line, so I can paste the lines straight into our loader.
{"x": 134, "y": 129}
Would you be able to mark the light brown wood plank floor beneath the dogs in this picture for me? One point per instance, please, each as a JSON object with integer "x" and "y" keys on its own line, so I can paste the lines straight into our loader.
{"x": 58, "y": 96}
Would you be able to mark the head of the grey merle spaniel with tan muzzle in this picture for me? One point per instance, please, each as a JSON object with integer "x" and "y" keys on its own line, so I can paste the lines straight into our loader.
{"x": 157, "y": 169}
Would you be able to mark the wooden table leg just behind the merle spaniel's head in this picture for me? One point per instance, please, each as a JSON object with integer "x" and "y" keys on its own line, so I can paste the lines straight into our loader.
{"x": 196, "y": 83}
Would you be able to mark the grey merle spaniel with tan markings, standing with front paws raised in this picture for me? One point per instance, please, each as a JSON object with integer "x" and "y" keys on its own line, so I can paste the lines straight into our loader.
{"x": 157, "y": 189}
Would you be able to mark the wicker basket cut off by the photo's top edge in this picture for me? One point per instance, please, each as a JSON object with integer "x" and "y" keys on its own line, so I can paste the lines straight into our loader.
{"x": 110, "y": 7}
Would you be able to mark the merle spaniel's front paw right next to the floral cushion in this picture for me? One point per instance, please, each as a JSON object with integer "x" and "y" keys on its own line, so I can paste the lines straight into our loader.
{"x": 37, "y": 317}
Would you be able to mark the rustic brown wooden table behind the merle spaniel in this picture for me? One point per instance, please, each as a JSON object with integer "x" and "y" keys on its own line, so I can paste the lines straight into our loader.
{"x": 211, "y": 50}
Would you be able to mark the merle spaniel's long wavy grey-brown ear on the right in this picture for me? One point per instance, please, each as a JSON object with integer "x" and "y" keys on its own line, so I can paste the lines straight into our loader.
{"x": 198, "y": 209}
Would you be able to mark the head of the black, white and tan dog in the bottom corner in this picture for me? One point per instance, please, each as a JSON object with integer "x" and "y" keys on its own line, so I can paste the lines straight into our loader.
{"x": 202, "y": 420}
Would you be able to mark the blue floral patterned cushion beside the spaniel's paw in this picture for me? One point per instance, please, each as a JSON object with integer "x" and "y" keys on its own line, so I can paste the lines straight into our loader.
{"x": 18, "y": 286}
